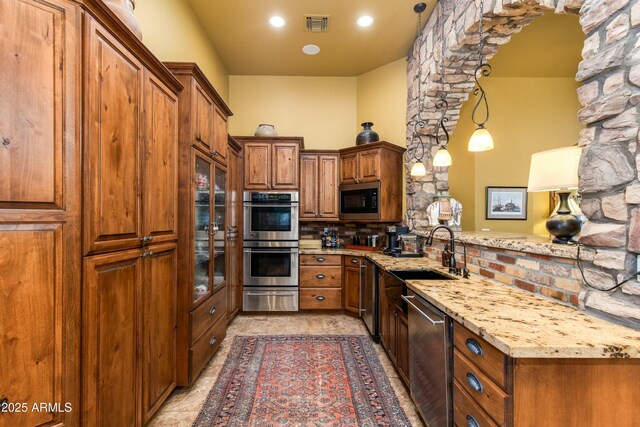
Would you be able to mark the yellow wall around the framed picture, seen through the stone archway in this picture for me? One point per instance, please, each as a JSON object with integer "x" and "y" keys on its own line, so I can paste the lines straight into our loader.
{"x": 527, "y": 115}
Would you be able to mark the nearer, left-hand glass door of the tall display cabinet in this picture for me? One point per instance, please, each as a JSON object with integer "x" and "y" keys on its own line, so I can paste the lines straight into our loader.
{"x": 202, "y": 200}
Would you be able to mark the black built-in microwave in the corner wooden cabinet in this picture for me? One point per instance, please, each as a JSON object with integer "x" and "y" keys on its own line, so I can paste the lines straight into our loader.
{"x": 360, "y": 201}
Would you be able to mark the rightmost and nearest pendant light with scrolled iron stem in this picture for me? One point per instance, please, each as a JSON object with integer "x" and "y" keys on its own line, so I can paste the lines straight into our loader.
{"x": 481, "y": 139}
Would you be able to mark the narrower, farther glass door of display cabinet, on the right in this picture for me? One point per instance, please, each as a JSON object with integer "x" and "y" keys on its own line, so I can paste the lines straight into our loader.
{"x": 219, "y": 228}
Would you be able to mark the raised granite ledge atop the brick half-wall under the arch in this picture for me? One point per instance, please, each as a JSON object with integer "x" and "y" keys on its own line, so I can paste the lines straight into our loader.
{"x": 511, "y": 241}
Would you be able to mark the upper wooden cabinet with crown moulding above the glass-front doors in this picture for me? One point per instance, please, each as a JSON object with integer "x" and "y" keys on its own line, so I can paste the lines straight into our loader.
{"x": 204, "y": 113}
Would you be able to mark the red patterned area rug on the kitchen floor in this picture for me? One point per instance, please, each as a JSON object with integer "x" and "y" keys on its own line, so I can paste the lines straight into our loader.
{"x": 302, "y": 380}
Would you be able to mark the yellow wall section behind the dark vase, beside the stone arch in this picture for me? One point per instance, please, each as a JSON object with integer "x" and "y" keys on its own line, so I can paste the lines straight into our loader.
{"x": 382, "y": 99}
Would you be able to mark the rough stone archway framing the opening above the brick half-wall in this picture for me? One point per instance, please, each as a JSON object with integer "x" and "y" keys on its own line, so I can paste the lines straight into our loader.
{"x": 610, "y": 93}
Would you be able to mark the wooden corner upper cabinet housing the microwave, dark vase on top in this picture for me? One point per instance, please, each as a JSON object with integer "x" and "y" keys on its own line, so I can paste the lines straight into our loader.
{"x": 376, "y": 162}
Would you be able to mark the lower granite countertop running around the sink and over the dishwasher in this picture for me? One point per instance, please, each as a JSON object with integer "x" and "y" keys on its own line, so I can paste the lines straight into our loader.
{"x": 518, "y": 323}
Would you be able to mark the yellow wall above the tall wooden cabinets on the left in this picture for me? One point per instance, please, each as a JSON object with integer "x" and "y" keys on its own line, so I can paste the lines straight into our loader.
{"x": 172, "y": 31}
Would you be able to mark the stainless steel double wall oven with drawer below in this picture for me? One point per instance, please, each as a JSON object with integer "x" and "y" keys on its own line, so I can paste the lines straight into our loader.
{"x": 270, "y": 251}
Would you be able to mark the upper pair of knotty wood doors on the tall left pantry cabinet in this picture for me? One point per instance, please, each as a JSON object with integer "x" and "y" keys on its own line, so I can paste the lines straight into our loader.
{"x": 130, "y": 177}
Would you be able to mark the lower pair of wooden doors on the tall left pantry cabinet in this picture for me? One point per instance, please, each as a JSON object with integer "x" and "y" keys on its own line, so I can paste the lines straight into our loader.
{"x": 129, "y": 315}
